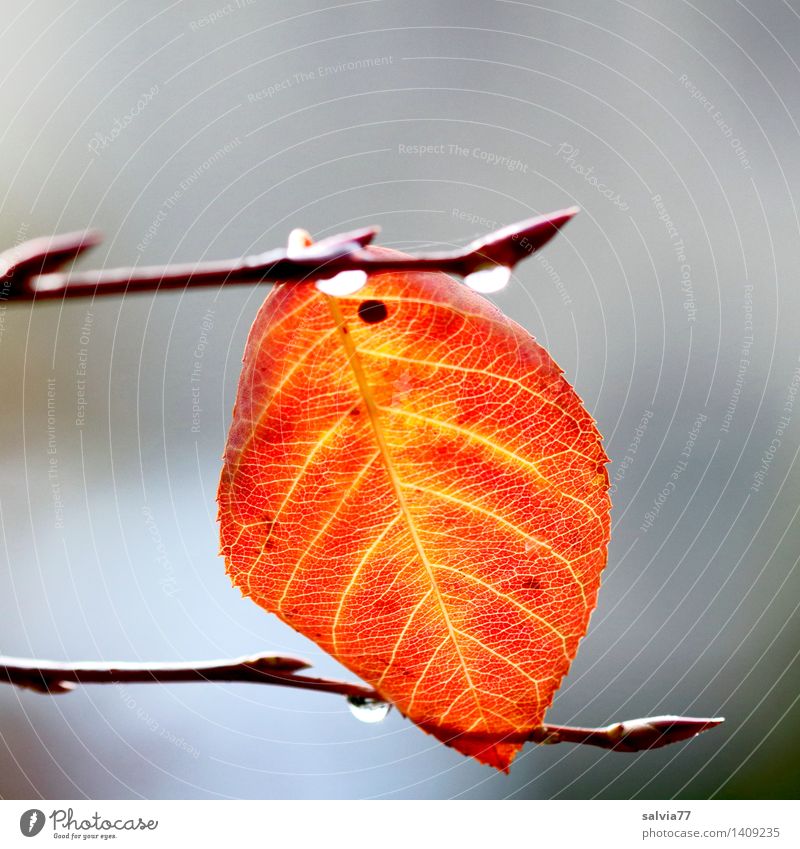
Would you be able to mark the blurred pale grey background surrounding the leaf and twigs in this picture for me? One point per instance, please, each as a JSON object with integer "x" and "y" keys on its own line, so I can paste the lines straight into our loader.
{"x": 210, "y": 129}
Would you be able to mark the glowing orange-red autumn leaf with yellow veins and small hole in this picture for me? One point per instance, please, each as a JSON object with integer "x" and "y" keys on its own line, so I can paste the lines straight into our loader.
{"x": 410, "y": 482}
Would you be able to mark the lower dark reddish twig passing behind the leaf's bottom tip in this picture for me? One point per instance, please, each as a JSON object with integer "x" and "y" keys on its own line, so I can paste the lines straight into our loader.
{"x": 44, "y": 676}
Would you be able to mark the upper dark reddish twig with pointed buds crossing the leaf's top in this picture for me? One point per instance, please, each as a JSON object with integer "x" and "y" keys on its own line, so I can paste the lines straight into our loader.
{"x": 27, "y": 271}
